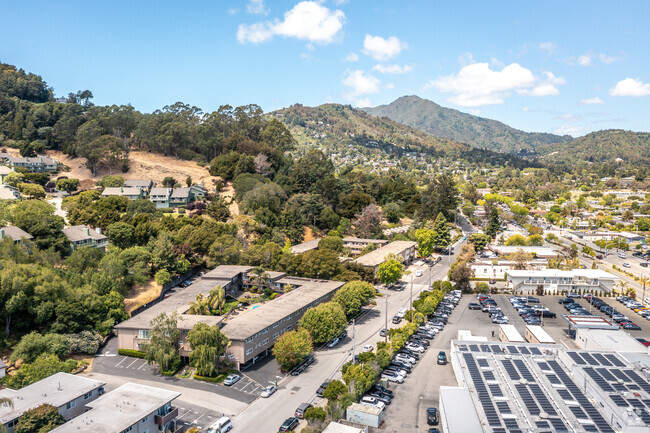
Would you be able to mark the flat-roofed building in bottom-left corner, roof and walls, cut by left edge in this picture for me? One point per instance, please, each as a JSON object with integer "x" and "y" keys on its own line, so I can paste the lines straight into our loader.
{"x": 68, "y": 393}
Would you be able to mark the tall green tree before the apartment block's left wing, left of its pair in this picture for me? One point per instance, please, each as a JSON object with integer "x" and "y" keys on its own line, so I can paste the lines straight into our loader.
{"x": 163, "y": 347}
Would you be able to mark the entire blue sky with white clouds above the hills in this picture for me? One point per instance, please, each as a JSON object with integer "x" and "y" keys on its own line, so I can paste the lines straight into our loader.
{"x": 554, "y": 66}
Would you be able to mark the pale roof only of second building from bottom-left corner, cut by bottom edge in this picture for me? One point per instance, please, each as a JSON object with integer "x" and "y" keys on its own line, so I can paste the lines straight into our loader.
{"x": 119, "y": 409}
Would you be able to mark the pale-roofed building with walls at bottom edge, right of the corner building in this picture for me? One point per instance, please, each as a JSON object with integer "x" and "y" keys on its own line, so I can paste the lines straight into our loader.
{"x": 132, "y": 408}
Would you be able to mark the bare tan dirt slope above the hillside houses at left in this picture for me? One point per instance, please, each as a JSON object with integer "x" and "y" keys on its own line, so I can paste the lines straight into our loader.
{"x": 142, "y": 165}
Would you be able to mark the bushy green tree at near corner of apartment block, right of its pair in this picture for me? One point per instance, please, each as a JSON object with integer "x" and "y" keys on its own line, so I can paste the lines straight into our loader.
{"x": 208, "y": 345}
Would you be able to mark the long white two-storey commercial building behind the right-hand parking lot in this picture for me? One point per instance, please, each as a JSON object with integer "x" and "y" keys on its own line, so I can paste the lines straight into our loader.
{"x": 556, "y": 281}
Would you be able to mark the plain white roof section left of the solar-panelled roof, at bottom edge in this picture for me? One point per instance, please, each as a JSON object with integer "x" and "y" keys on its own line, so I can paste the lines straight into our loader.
{"x": 458, "y": 410}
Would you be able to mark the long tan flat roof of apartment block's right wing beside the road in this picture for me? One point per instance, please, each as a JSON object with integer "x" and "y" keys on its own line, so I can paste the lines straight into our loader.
{"x": 254, "y": 320}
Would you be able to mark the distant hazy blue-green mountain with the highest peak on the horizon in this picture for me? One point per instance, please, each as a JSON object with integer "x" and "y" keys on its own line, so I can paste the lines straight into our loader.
{"x": 451, "y": 124}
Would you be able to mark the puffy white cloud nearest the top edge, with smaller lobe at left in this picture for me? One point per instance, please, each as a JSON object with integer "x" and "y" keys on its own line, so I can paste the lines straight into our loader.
{"x": 308, "y": 20}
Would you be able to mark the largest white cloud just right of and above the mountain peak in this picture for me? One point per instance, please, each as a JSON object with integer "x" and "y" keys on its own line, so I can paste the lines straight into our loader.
{"x": 477, "y": 84}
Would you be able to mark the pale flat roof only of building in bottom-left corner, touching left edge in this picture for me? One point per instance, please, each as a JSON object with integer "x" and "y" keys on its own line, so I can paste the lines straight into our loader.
{"x": 56, "y": 390}
